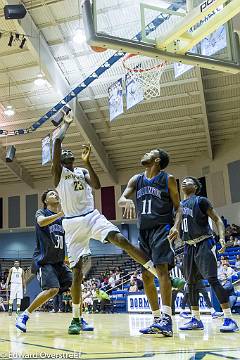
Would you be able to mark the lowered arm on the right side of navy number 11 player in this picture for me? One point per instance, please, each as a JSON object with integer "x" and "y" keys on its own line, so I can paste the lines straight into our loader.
{"x": 174, "y": 194}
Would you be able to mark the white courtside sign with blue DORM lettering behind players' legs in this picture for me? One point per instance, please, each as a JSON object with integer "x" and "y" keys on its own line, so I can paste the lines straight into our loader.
{"x": 139, "y": 303}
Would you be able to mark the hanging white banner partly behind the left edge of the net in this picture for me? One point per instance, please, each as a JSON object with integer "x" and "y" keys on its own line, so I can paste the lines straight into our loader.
{"x": 134, "y": 91}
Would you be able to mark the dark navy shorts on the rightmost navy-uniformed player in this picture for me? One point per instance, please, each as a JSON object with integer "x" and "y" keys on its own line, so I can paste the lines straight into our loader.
{"x": 200, "y": 261}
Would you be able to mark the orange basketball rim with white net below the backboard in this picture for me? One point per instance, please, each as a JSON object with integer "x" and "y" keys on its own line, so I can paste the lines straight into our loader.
{"x": 146, "y": 72}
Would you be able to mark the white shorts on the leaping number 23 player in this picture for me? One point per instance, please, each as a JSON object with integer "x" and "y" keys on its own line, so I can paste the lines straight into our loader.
{"x": 79, "y": 230}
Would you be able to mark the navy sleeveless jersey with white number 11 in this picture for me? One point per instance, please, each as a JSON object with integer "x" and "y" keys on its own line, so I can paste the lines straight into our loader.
{"x": 154, "y": 204}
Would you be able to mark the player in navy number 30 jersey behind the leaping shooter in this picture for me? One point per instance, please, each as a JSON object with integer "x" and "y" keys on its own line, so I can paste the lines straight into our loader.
{"x": 48, "y": 257}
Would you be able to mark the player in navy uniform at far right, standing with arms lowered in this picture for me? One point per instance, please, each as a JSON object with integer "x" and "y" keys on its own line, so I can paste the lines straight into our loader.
{"x": 199, "y": 258}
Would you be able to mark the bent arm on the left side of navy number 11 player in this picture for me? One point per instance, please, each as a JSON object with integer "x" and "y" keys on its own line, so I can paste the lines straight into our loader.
{"x": 125, "y": 202}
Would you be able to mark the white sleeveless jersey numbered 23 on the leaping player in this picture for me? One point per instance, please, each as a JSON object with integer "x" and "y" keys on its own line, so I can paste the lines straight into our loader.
{"x": 75, "y": 193}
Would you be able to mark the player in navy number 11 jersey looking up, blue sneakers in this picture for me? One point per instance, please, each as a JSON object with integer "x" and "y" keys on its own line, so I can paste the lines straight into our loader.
{"x": 157, "y": 198}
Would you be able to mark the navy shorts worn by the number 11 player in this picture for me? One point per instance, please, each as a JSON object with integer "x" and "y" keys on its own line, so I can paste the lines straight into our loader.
{"x": 154, "y": 242}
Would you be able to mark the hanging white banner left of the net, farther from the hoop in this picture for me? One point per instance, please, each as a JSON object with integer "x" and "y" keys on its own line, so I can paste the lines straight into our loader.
{"x": 115, "y": 93}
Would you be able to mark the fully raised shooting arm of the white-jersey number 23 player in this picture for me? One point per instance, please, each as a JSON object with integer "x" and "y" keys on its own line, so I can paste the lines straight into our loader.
{"x": 57, "y": 150}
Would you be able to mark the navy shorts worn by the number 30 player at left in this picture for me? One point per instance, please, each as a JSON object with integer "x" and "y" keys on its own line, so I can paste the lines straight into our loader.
{"x": 55, "y": 276}
